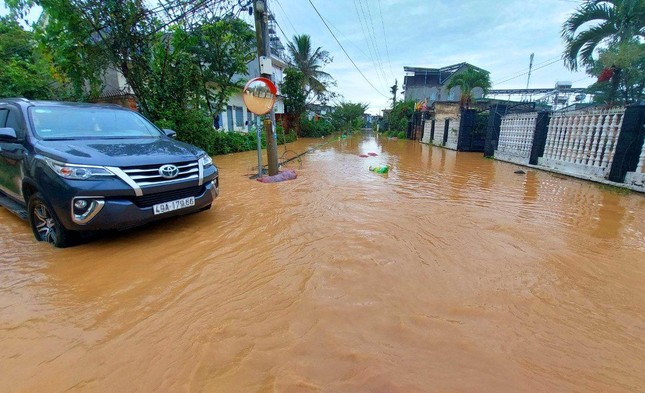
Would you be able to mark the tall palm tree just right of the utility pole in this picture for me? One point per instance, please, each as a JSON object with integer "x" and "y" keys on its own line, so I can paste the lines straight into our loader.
{"x": 310, "y": 63}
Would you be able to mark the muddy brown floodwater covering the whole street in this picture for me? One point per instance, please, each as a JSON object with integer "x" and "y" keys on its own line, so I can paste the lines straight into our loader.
{"x": 449, "y": 274}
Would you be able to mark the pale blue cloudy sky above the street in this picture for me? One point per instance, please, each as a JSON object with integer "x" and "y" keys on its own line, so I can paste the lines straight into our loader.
{"x": 383, "y": 36}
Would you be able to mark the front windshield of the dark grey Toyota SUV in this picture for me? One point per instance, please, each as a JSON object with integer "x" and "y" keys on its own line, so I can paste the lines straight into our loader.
{"x": 89, "y": 123}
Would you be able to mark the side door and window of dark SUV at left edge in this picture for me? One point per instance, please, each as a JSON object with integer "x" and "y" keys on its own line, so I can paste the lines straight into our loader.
{"x": 12, "y": 153}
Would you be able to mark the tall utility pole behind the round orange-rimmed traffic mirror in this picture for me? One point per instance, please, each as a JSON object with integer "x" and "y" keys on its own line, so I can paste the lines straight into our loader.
{"x": 261, "y": 13}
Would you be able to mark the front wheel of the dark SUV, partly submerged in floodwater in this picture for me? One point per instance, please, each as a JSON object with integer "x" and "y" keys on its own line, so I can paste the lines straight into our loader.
{"x": 45, "y": 224}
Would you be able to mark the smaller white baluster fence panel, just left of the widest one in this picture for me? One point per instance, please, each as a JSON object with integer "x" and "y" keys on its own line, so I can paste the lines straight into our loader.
{"x": 516, "y": 137}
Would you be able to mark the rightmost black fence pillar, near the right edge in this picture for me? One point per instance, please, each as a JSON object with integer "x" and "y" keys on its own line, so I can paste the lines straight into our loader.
{"x": 629, "y": 144}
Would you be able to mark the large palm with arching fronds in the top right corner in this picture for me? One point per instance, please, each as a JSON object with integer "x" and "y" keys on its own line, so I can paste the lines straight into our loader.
{"x": 619, "y": 21}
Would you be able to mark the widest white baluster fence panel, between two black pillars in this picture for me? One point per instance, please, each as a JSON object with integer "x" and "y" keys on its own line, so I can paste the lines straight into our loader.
{"x": 583, "y": 142}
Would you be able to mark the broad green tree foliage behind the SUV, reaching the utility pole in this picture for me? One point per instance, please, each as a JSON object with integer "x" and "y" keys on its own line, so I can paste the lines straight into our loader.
{"x": 178, "y": 57}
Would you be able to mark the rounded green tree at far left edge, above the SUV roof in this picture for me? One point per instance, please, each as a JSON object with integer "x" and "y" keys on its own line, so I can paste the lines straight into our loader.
{"x": 24, "y": 71}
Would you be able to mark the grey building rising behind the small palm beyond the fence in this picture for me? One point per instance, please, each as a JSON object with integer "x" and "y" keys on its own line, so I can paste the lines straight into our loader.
{"x": 431, "y": 83}
